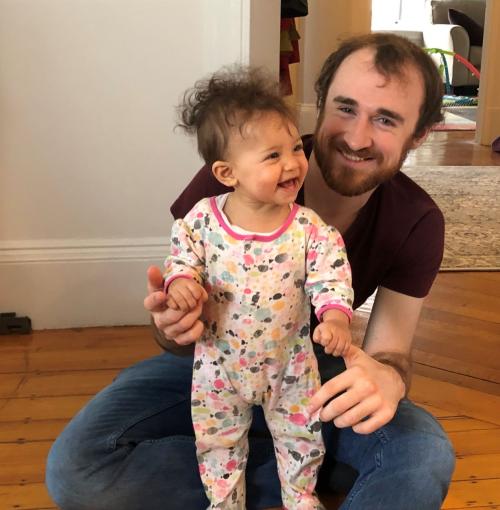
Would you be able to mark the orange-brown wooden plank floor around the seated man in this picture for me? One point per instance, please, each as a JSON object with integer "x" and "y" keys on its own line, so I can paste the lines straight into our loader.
{"x": 46, "y": 377}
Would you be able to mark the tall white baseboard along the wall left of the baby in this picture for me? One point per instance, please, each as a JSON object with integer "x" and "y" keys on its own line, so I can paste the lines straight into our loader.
{"x": 78, "y": 283}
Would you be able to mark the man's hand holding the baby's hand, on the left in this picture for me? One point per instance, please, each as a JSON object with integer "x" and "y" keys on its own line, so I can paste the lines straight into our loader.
{"x": 183, "y": 328}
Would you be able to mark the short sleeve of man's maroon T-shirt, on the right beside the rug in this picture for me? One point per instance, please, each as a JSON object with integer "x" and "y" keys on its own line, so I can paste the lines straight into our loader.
{"x": 417, "y": 262}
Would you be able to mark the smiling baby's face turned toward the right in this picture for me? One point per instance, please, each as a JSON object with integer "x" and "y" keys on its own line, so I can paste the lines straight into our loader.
{"x": 268, "y": 160}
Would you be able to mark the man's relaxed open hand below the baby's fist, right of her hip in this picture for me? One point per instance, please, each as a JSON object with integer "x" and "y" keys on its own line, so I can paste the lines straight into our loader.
{"x": 364, "y": 397}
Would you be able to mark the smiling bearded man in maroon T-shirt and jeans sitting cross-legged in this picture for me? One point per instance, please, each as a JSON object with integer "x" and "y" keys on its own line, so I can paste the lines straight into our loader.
{"x": 378, "y": 96}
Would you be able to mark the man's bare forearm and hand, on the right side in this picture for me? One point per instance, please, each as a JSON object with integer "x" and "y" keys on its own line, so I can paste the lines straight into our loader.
{"x": 366, "y": 395}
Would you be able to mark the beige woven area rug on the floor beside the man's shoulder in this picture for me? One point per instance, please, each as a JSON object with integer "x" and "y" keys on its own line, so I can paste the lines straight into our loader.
{"x": 468, "y": 197}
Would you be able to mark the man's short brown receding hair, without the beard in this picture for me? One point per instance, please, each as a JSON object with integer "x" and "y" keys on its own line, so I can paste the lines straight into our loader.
{"x": 393, "y": 55}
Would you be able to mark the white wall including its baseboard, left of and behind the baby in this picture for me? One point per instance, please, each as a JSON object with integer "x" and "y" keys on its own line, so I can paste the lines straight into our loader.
{"x": 89, "y": 163}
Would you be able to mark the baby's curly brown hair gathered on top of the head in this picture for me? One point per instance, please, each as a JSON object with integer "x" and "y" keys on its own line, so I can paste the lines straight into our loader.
{"x": 226, "y": 101}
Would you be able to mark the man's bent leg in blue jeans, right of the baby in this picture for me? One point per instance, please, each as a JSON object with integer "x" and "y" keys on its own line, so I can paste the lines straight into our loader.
{"x": 407, "y": 464}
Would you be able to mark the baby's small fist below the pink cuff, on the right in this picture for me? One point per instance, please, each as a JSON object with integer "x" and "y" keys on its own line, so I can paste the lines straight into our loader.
{"x": 333, "y": 332}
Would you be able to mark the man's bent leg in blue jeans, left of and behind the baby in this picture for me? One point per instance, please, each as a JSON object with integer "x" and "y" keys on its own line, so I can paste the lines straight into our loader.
{"x": 132, "y": 447}
